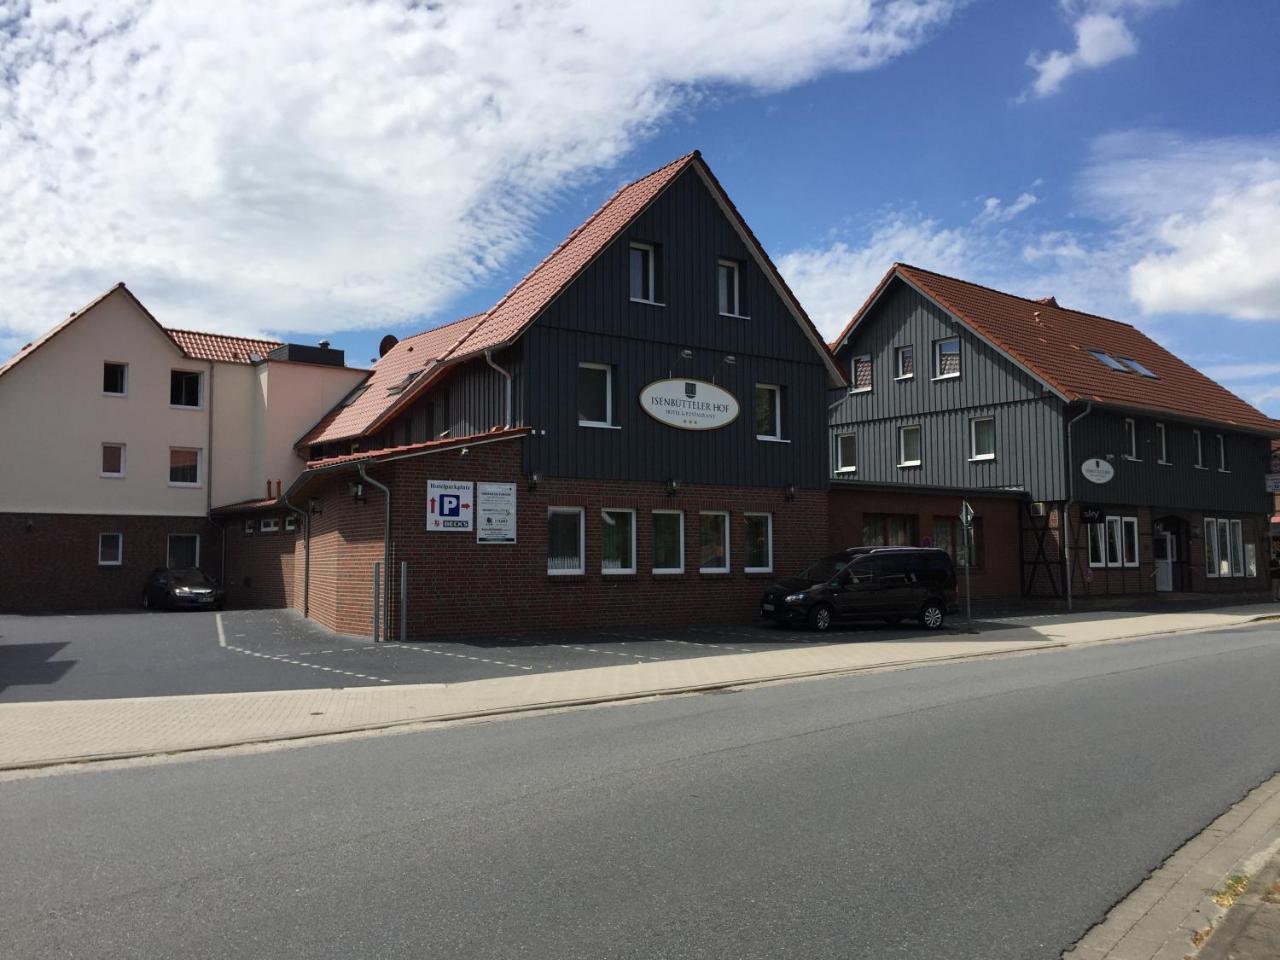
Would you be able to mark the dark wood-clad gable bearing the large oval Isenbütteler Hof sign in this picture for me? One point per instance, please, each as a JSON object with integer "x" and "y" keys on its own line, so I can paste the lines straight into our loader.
{"x": 595, "y": 321}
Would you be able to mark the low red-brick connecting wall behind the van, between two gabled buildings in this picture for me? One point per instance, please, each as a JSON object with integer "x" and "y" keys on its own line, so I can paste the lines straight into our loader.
{"x": 999, "y": 516}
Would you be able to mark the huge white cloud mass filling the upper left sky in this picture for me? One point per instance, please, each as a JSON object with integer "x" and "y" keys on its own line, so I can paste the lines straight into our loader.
{"x": 326, "y": 164}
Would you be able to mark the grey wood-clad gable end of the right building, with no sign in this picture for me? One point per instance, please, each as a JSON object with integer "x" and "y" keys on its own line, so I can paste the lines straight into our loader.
{"x": 1028, "y": 419}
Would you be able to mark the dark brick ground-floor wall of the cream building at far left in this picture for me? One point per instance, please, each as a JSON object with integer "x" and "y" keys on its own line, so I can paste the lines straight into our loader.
{"x": 49, "y": 561}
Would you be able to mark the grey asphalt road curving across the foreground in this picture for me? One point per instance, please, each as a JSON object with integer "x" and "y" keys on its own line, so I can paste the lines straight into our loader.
{"x": 988, "y": 810}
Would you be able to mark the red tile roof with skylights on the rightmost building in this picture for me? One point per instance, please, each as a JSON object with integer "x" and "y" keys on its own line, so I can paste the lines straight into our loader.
{"x": 1054, "y": 345}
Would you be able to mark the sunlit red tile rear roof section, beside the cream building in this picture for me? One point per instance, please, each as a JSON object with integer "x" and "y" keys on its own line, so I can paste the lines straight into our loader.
{"x": 418, "y": 355}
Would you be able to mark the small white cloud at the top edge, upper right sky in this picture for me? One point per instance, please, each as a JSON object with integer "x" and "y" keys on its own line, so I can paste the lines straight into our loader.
{"x": 1103, "y": 36}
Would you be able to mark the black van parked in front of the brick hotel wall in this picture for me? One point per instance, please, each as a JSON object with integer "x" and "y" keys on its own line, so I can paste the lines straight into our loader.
{"x": 868, "y": 583}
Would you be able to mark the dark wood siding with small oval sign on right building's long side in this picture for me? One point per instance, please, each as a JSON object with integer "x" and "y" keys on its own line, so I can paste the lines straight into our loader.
{"x": 1178, "y": 484}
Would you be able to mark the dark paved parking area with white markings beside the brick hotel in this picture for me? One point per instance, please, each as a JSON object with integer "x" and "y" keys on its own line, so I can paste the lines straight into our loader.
{"x": 99, "y": 656}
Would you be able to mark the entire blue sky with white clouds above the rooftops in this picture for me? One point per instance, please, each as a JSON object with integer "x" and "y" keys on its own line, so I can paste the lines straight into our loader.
{"x": 349, "y": 168}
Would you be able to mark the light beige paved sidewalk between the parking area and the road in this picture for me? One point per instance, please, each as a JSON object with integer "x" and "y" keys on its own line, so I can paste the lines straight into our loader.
{"x": 51, "y": 733}
